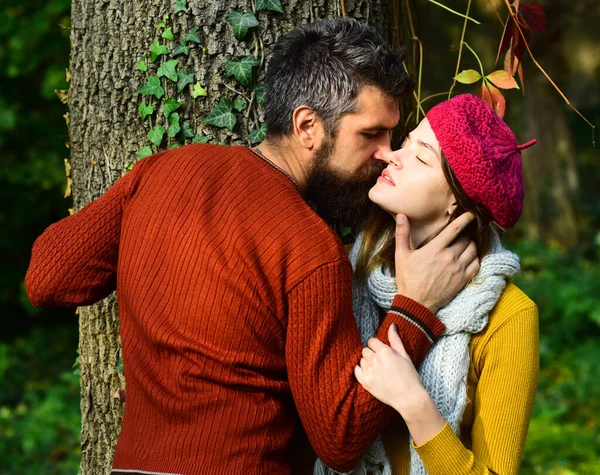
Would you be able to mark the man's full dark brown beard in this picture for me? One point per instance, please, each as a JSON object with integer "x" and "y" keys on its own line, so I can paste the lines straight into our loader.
{"x": 341, "y": 200}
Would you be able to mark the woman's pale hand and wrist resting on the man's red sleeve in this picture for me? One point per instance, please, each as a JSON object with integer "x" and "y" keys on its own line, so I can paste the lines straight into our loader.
{"x": 389, "y": 375}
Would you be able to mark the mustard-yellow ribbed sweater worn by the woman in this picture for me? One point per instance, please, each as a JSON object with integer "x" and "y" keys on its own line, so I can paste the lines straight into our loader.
{"x": 501, "y": 385}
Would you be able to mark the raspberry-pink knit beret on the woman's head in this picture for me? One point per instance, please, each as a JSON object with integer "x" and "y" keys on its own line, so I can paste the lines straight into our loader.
{"x": 483, "y": 153}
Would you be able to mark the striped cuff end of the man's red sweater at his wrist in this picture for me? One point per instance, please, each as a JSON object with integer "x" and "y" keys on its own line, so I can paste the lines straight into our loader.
{"x": 417, "y": 326}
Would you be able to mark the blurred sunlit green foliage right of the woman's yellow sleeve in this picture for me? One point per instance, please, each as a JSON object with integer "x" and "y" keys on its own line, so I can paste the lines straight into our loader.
{"x": 564, "y": 436}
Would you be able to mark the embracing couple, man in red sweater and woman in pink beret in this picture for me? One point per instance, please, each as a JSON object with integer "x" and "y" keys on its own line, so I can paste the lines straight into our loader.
{"x": 242, "y": 318}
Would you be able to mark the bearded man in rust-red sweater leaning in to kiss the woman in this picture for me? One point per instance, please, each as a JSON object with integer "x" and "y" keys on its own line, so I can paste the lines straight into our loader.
{"x": 234, "y": 296}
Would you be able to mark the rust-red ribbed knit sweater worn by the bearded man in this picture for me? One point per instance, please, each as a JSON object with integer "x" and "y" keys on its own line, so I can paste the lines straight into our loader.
{"x": 236, "y": 314}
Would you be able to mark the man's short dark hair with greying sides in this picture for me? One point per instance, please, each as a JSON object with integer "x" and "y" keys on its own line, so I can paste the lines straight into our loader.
{"x": 324, "y": 65}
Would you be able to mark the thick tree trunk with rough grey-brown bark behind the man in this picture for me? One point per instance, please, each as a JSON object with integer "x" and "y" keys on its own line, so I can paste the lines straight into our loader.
{"x": 109, "y": 39}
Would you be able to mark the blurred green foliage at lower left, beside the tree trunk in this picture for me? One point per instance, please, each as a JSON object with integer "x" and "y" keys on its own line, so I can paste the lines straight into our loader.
{"x": 39, "y": 404}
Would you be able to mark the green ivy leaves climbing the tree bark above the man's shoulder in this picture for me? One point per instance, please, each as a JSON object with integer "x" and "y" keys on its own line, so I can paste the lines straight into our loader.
{"x": 159, "y": 111}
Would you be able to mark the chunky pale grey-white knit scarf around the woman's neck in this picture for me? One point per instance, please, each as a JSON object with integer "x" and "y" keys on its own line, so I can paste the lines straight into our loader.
{"x": 445, "y": 369}
